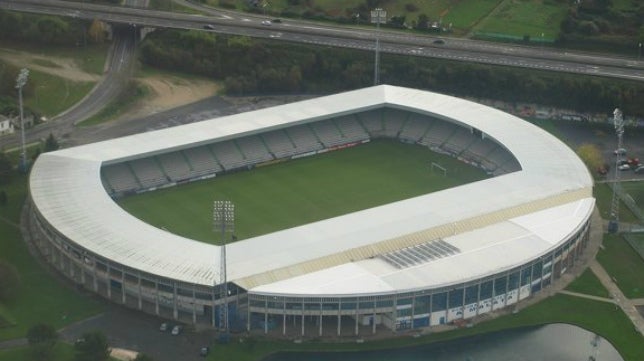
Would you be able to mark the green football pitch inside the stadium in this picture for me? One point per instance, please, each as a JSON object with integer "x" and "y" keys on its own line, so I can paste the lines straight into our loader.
{"x": 288, "y": 194}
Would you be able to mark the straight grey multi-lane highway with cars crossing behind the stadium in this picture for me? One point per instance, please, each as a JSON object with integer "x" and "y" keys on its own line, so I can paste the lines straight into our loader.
{"x": 397, "y": 42}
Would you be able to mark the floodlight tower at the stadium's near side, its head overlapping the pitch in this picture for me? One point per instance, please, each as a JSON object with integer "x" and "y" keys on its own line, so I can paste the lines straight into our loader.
{"x": 223, "y": 217}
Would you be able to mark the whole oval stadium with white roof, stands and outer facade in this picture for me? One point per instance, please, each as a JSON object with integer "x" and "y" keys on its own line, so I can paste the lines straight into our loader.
{"x": 443, "y": 257}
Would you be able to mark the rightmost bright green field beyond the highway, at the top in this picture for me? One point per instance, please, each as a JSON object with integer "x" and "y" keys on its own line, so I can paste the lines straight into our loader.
{"x": 526, "y": 17}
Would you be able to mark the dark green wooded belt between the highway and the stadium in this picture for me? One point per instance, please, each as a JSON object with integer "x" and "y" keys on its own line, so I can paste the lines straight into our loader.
{"x": 251, "y": 66}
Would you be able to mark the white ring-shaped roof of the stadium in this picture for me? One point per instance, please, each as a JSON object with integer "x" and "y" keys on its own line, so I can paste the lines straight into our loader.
{"x": 496, "y": 224}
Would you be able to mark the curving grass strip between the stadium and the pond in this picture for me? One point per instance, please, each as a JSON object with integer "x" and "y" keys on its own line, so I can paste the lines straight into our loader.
{"x": 599, "y": 317}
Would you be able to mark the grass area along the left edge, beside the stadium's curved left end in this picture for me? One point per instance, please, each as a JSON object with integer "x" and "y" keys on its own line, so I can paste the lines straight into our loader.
{"x": 41, "y": 298}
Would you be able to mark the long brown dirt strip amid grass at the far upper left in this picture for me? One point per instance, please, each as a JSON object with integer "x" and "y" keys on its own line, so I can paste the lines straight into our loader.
{"x": 61, "y": 67}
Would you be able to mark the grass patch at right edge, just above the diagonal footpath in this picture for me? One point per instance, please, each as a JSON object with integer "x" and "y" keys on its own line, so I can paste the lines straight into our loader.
{"x": 624, "y": 264}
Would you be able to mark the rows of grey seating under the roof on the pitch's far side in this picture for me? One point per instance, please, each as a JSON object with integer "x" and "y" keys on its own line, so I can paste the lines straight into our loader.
{"x": 206, "y": 160}
